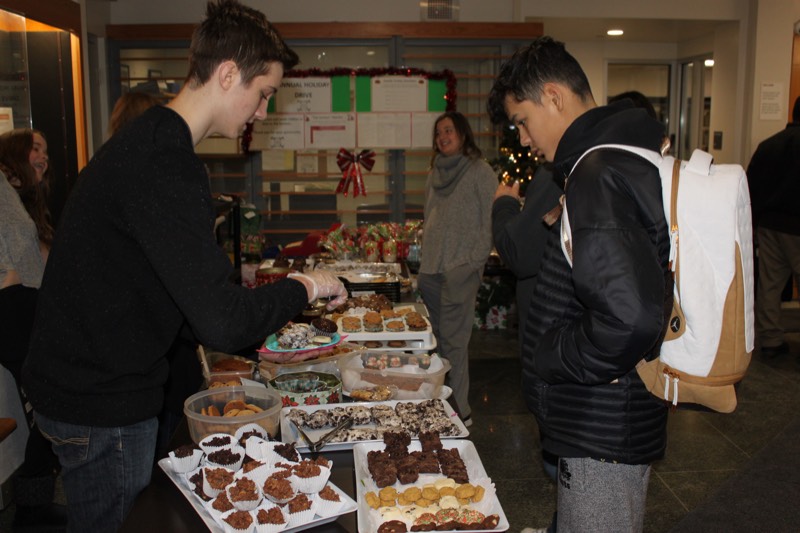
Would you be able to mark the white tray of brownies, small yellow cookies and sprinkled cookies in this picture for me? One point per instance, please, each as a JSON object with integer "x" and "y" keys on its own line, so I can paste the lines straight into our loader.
{"x": 426, "y": 485}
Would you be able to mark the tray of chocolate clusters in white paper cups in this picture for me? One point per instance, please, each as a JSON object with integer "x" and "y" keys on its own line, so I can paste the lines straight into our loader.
{"x": 246, "y": 482}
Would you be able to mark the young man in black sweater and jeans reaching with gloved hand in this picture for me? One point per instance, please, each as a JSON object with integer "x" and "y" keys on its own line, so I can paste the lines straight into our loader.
{"x": 136, "y": 261}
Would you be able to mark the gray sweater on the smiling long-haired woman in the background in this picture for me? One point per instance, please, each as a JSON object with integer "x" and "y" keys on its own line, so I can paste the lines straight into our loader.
{"x": 458, "y": 213}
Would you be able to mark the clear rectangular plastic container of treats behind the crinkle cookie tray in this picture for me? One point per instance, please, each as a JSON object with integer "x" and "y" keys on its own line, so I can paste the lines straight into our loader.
{"x": 416, "y": 377}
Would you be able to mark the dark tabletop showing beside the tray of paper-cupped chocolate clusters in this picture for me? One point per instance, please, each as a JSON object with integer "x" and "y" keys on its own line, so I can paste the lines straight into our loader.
{"x": 163, "y": 507}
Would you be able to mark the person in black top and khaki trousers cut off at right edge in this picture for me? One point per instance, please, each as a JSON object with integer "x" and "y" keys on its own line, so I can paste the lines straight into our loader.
{"x": 773, "y": 177}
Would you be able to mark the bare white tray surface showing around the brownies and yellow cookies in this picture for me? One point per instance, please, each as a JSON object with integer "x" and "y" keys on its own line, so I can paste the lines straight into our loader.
{"x": 369, "y": 520}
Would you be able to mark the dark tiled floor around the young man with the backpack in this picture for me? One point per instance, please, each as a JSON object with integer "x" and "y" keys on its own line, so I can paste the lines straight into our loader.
{"x": 704, "y": 449}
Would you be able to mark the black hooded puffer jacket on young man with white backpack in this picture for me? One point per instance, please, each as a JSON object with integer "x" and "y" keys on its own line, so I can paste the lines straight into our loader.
{"x": 589, "y": 325}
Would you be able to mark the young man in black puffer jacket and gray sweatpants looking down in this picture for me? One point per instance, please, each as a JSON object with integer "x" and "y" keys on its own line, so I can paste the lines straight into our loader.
{"x": 592, "y": 319}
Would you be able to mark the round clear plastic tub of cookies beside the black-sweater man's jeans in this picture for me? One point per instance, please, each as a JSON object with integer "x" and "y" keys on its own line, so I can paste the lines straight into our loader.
{"x": 201, "y": 425}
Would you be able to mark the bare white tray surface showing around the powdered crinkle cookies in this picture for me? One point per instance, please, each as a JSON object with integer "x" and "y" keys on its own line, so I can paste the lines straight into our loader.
{"x": 289, "y": 432}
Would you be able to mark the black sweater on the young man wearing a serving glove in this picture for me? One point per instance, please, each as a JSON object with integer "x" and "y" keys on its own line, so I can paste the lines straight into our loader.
{"x": 135, "y": 258}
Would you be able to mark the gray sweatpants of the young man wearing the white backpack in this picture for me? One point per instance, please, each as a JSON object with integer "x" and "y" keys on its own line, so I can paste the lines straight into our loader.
{"x": 601, "y": 496}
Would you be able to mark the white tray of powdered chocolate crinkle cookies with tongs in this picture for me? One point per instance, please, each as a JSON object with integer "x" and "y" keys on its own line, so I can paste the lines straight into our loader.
{"x": 371, "y": 421}
